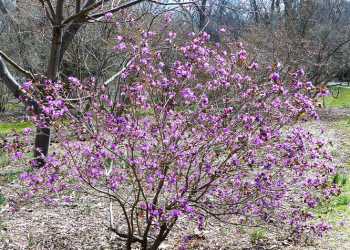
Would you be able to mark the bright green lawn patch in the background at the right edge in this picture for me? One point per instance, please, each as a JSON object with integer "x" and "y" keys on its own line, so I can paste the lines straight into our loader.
{"x": 338, "y": 101}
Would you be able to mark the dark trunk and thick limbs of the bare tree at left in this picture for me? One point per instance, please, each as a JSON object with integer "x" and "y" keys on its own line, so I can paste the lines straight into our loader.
{"x": 59, "y": 43}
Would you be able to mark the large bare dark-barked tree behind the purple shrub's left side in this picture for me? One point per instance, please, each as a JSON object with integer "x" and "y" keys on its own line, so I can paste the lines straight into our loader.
{"x": 63, "y": 30}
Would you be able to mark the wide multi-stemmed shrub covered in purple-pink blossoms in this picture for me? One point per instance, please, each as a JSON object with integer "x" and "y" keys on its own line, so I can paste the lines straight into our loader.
{"x": 198, "y": 131}
